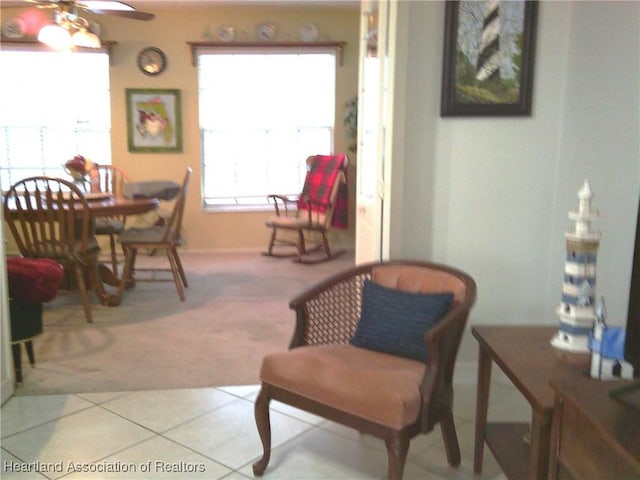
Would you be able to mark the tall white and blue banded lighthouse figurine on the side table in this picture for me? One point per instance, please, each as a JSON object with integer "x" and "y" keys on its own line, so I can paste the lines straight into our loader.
{"x": 577, "y": 310}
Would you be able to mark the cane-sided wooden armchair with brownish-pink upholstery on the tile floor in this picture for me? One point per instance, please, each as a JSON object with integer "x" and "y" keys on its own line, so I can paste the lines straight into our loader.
{"x": 386, "y": 395}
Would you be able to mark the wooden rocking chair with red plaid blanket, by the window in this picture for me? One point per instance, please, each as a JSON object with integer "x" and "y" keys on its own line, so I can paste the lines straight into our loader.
{"x": 321, "y": 205}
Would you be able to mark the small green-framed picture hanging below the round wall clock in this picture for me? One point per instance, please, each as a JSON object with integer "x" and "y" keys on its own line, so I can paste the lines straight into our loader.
{"x": 154, "y": 121}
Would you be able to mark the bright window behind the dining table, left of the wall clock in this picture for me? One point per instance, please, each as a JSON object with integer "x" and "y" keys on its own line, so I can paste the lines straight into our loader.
{"x": 53, "y": 106}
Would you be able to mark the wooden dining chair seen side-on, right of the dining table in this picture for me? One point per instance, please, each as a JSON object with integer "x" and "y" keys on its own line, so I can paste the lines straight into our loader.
{"x": 167, "y": 238}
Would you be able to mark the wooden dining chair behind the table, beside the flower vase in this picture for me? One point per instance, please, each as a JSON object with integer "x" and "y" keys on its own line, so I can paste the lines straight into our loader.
{"x": 110, "y": 179}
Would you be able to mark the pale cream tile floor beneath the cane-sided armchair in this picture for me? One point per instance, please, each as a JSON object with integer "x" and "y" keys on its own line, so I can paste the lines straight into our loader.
{"x": 210, "y": 433}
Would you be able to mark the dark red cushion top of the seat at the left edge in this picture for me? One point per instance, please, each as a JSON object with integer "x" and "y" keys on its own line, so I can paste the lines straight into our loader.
{"x": 34, "y": 279}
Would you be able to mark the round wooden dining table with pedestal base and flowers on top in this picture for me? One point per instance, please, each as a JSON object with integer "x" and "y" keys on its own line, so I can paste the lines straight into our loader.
{"x": 112, "y": 206}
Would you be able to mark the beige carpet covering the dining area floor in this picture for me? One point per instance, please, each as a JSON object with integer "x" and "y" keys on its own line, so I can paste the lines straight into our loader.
{"x": 236, "y": 311}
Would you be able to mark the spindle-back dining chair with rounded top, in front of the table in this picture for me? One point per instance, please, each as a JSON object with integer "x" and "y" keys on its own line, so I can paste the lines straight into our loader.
{"x": 49, "y": 218}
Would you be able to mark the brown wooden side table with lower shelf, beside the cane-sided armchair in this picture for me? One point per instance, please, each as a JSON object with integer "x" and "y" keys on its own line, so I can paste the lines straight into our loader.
{"x": 526, "y": 357}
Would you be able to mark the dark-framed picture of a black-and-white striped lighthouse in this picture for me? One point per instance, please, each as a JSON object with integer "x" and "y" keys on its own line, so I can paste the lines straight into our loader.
{"x": 488, "y": 60}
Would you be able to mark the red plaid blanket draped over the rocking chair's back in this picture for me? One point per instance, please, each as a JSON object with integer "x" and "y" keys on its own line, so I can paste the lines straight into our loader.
{"x": 318, "y": 184}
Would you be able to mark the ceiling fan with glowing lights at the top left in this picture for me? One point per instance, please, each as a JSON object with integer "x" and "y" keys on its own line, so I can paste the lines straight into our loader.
{"x": 68, "y": 29}
